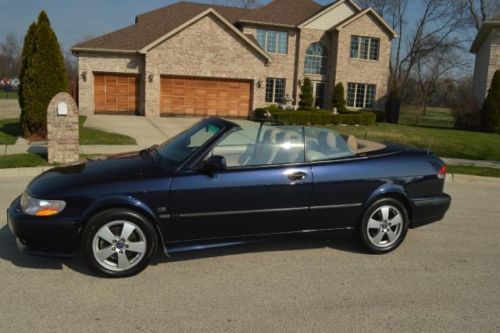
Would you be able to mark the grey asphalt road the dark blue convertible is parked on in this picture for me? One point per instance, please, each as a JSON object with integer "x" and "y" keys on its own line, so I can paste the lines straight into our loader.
{"x": 445, "y": 277}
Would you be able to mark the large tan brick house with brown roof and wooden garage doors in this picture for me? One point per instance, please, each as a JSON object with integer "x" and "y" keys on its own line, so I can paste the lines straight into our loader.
{"x": 201, "y": 59}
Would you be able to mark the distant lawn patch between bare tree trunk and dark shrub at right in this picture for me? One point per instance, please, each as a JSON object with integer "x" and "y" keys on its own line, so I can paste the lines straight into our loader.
{"x": 435, "y": 117}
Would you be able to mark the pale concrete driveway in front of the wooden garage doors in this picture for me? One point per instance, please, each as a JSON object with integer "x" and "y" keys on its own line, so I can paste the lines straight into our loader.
{"x": 145, "y": 131}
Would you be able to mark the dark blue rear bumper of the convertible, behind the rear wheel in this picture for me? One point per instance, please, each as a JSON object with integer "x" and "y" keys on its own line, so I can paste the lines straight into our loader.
{"x": 428, "y": 210}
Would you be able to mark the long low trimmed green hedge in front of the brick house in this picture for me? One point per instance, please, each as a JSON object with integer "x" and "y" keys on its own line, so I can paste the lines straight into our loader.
{"x": 318, "y": 117}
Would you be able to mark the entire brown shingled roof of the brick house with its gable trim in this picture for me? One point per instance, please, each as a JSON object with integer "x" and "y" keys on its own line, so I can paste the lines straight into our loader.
{"x": 155, "y": 25}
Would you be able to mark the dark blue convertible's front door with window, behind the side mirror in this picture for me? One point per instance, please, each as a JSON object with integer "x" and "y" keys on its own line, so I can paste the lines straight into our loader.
{"x": 265, "y": 188}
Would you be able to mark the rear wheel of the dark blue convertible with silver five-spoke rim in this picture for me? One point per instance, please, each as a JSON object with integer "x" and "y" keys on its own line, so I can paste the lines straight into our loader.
{"x": 384, "y": 226}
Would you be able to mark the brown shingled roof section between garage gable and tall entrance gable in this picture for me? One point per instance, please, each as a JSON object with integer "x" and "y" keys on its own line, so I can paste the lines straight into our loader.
{"x": 284, "y": 12}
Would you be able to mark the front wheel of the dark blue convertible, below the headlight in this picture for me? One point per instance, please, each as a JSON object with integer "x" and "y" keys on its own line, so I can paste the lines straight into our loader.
{"x": 118, "y": 243}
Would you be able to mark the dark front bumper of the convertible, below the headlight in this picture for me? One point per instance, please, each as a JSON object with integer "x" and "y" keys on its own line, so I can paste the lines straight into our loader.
{"x": 41, "y": 235}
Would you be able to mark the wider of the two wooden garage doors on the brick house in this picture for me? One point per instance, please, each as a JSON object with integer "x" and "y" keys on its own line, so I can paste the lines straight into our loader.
{"x": 205, "y": 97}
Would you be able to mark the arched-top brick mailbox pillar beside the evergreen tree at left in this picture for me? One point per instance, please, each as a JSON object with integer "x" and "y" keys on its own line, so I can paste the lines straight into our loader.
{"x": 62, "y": 129}
